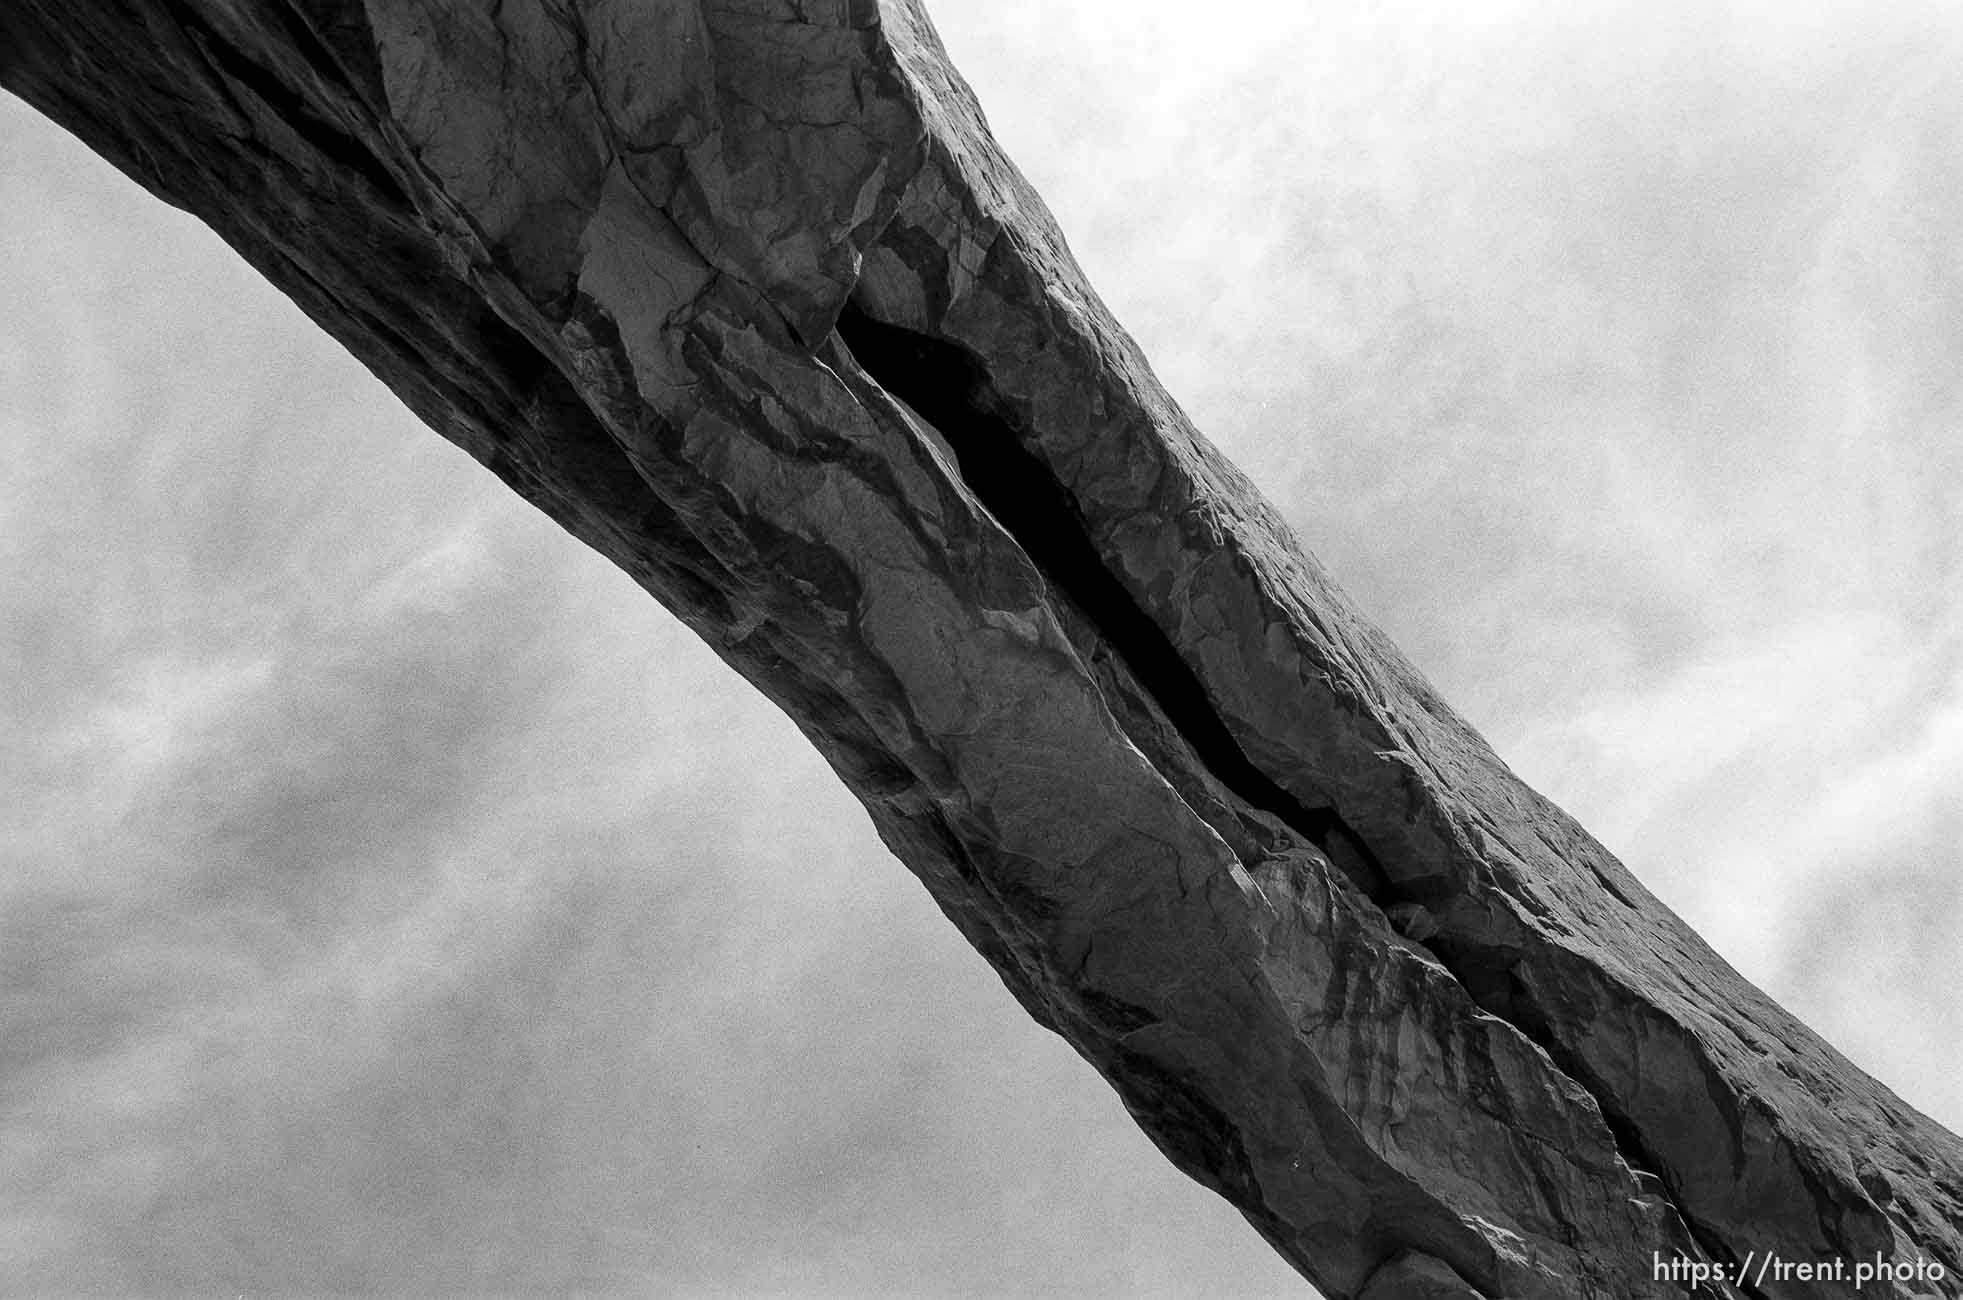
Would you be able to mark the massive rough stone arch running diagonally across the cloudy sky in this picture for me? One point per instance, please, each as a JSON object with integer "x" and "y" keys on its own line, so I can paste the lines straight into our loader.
{"x": 745, "y": 296}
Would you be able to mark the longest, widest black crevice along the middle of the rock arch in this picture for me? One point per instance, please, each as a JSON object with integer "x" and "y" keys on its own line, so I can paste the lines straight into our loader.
{"x": 949, "y": 388}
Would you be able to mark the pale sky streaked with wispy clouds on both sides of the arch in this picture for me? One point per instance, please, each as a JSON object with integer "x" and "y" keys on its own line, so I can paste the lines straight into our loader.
{"x": 394, "y": 902}
